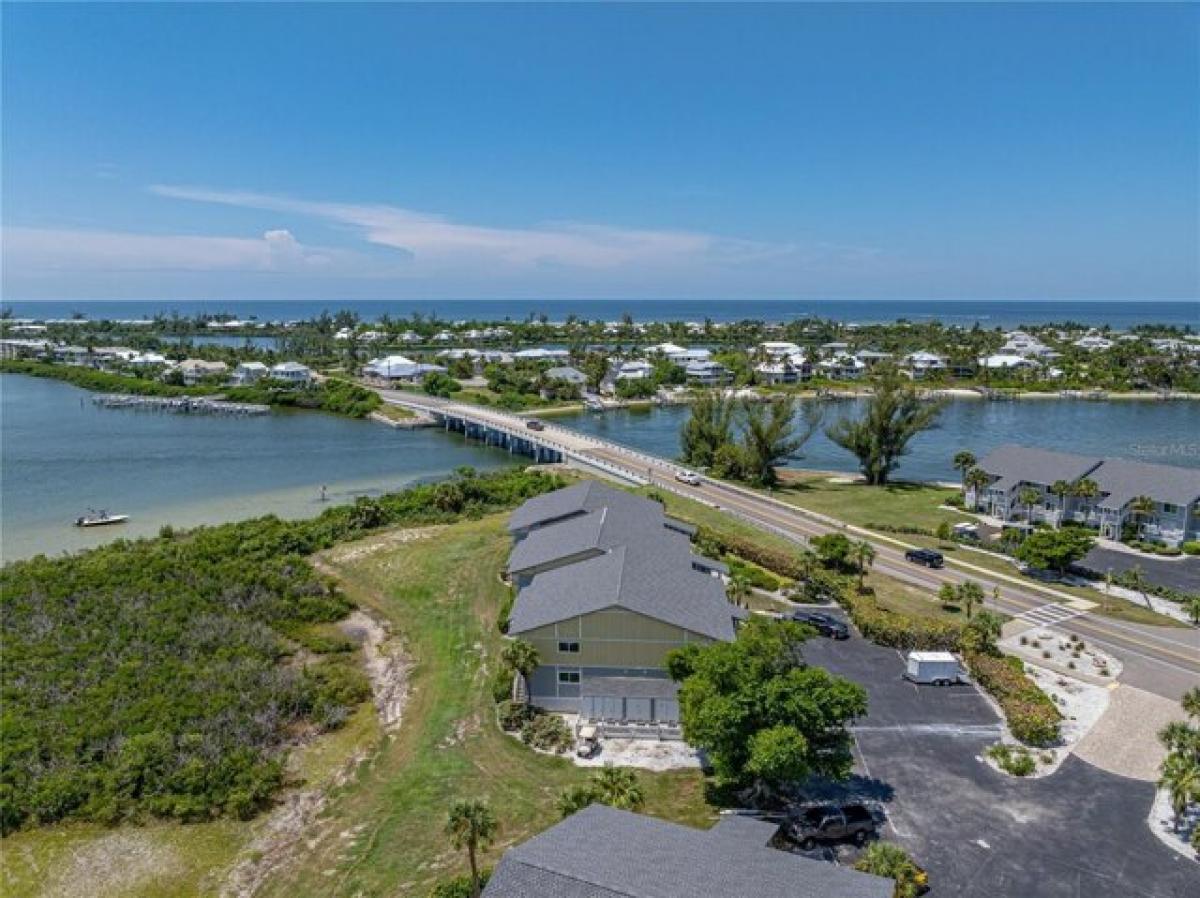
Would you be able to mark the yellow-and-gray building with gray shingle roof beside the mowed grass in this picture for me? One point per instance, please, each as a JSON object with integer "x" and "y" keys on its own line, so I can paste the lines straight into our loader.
{"x": 608, "y": 585}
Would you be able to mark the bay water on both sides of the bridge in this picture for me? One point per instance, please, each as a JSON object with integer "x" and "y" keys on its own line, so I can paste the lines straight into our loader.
{"x": 62, "y": 454}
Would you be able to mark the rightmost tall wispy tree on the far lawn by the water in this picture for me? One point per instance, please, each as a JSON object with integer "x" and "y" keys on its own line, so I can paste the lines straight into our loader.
{"x": 895, "y": 415}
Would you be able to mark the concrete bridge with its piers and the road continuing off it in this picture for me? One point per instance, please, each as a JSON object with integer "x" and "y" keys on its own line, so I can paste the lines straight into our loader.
{"x": 1165, "y": 661}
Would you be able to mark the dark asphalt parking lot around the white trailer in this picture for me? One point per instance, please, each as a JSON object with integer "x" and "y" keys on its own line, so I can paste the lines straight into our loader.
{"x": 979, "y": 833}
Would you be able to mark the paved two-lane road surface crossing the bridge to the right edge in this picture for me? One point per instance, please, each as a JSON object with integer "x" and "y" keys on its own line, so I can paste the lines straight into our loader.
{"x": 1160, "y": 660}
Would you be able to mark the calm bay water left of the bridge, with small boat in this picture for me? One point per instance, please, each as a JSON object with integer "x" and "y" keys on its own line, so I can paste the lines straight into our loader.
{"x": 62, "y": 454}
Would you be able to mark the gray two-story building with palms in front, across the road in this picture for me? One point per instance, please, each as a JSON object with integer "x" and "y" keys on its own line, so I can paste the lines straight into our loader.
{"x": 1115, "y": 511}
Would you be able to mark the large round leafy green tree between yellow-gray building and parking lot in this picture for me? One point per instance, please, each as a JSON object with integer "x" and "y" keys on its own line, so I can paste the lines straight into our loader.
{"x": 760, "y": 713}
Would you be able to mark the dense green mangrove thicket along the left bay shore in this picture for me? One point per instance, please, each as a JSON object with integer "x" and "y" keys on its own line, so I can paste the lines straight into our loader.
{"x": 165, "y": 677}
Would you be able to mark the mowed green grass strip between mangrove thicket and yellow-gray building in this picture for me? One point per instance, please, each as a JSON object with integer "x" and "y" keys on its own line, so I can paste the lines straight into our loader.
{"x": 386, "y": 834}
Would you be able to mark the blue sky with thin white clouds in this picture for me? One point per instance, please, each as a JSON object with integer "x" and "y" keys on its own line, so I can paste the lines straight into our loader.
{"x": 339, "y": 152}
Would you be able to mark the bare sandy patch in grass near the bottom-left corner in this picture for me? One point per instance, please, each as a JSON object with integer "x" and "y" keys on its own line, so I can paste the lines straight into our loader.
{"x": 131, "y": 859}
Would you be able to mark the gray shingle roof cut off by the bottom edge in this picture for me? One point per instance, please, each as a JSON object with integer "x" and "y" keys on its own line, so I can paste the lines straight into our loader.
{"x": 604, "y": 853}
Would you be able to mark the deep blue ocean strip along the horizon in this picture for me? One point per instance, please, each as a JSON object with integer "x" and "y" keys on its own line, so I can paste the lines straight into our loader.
{"x": 993, "y": 314}
